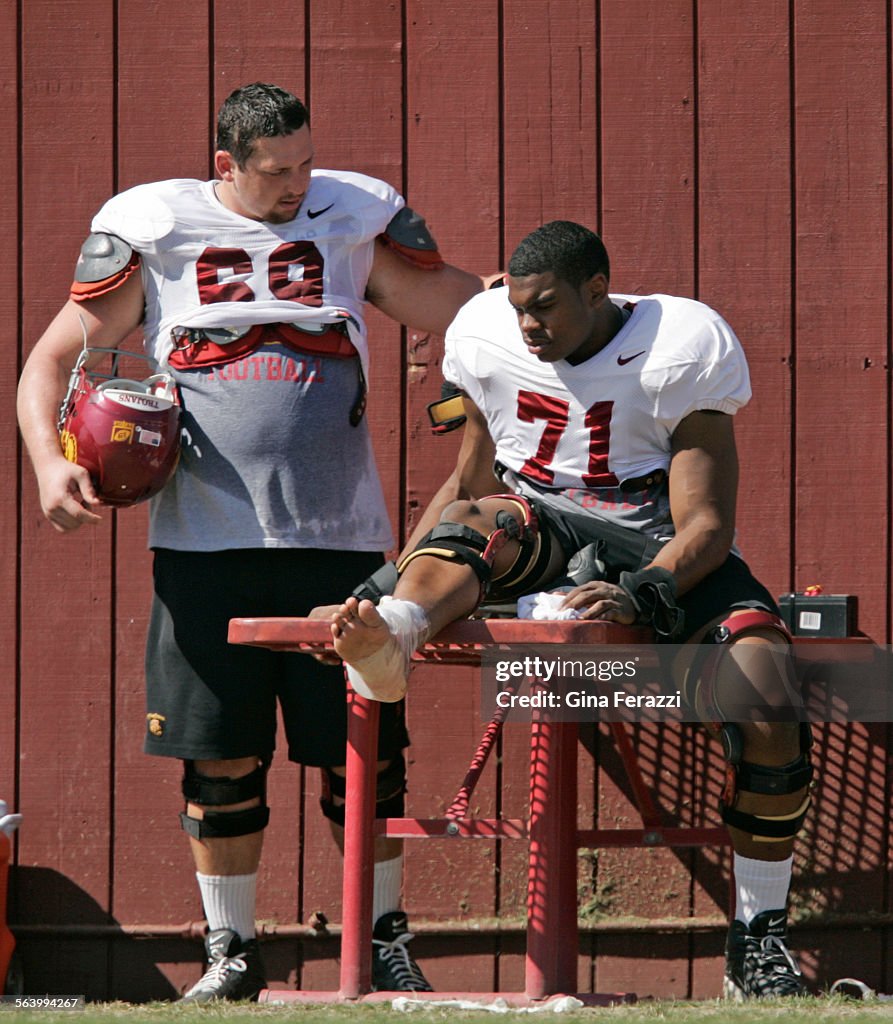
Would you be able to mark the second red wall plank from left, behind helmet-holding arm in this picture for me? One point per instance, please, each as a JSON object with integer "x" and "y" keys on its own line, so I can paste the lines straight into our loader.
{"x": 66, "y": 645}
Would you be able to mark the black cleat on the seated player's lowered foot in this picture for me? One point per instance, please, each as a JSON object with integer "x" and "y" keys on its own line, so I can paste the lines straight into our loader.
{"x": 759, "y": 965}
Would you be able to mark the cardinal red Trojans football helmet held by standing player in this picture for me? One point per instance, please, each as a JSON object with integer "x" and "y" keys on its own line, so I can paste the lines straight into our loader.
{"x": 126, "y": 434}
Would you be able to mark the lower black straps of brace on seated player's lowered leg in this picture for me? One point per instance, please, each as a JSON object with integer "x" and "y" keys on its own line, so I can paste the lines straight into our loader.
{"x": 769, "y": 782}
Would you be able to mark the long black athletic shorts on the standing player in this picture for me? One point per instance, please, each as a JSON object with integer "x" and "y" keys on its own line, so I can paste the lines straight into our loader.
{"x": 209, "y": 700}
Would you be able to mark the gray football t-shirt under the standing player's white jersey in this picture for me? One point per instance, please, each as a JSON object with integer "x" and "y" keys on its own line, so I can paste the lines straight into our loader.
{"x": 270, "y": 459}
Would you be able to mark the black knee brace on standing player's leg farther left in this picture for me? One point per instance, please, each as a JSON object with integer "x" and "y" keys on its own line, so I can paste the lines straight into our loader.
{"x": 210, "y": 791}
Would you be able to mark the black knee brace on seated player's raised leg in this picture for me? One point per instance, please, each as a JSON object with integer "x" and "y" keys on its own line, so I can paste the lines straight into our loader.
{"x": 456, "y": 542}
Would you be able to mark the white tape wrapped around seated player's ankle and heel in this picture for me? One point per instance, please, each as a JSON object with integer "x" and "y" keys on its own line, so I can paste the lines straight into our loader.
{"x": 384, "y": 676}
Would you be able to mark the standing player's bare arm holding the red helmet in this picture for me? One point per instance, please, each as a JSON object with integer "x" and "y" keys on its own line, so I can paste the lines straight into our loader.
{"x": 67, "y": 496}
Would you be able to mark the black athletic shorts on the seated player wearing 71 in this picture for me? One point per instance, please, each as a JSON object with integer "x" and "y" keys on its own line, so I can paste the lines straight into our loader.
{"x": 732, "y": 586}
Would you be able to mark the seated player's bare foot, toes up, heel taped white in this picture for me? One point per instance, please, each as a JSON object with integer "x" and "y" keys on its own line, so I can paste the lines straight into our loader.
{"x": 378, "y": 664}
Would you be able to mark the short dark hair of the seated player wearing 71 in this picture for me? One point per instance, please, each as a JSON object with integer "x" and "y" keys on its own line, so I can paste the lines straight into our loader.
{"x": 571, "y": 251}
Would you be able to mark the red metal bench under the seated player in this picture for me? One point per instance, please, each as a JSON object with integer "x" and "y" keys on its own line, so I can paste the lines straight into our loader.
{"x": 550, "y": 829}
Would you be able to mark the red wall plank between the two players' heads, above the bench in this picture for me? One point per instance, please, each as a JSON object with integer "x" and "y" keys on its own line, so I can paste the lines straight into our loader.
{"x": 453, "y": 180}
